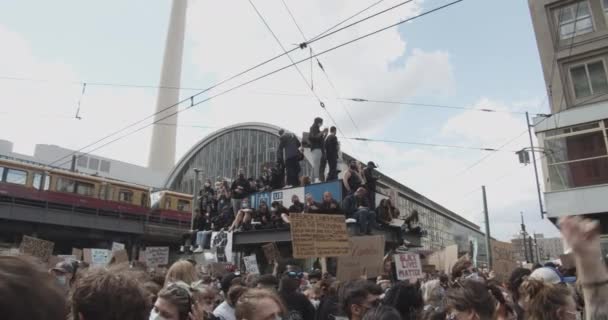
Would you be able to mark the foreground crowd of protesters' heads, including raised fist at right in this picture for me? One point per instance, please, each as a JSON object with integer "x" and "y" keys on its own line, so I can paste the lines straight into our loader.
{"x": 185, "y": 292}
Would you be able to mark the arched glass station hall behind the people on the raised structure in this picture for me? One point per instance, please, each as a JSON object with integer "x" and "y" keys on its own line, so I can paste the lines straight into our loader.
{"x": 252, "y": 146}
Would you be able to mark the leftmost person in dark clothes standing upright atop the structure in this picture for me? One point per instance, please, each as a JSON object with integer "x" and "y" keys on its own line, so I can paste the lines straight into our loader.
{"x": 289, "y": 156}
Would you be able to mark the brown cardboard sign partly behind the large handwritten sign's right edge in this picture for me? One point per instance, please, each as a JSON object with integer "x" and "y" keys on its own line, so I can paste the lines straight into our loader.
{"x": 365, "y": 255}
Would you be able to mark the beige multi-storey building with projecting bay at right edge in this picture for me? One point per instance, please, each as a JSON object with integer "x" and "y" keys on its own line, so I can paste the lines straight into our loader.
{"x": 572, "y": 39}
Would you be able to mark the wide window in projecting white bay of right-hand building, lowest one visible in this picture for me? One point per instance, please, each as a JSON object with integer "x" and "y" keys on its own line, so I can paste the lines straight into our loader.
{"x": 578, "y": 157}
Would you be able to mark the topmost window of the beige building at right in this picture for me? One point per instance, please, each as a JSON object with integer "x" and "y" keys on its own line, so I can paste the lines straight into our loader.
{"x": 574, "y": 20}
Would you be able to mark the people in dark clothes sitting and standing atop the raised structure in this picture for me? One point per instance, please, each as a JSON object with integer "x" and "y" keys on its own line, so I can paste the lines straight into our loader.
{"x": 225, "y": 205}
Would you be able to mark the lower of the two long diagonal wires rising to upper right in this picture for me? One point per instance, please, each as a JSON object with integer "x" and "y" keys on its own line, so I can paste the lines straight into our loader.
{"x": 193, "y": 104}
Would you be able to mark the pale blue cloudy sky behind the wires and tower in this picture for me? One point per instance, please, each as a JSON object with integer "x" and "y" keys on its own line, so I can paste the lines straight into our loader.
{"x": 479, "y": 52}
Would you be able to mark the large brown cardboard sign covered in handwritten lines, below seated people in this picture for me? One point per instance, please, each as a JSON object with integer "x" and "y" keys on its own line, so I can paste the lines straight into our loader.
{"x": 318, "y": 235}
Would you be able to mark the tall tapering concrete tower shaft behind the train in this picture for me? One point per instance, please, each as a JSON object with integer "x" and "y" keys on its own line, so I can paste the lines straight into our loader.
{"x": 162, "y": 147}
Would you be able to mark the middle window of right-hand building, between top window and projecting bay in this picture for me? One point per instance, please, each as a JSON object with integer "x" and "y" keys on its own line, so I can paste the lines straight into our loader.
{"x": 589, "y": 79}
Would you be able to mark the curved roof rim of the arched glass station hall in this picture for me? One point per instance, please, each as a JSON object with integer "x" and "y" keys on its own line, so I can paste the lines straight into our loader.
{"x": 266, "y": 127}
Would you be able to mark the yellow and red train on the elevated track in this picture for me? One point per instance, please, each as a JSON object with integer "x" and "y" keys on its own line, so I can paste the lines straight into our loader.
{"x": 28, "y": 181}
